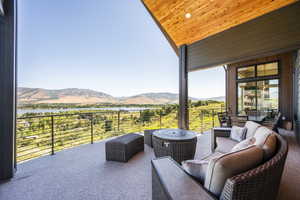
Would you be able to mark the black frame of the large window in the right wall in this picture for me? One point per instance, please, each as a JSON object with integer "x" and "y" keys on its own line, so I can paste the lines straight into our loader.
{"x": 256, "y": 79}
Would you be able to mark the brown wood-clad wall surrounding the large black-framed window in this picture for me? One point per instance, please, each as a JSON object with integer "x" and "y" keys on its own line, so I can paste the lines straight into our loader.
{"x": 285, "y": 82}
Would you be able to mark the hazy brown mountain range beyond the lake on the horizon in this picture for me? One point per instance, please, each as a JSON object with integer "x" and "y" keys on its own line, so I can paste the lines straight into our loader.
{"x": 86, "y": 96}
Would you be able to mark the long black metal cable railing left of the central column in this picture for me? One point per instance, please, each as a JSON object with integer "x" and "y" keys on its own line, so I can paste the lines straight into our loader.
{"x": 47, "y": 134}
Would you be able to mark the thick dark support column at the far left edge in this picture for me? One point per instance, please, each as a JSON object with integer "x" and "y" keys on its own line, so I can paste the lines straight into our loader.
{"x": 7, "y": 89}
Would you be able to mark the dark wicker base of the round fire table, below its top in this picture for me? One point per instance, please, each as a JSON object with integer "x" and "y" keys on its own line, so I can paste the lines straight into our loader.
{"x": 178, "y": 150}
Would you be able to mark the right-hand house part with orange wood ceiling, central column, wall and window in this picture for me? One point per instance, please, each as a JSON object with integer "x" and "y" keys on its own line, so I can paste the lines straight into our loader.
{"x": 260, "y": 38}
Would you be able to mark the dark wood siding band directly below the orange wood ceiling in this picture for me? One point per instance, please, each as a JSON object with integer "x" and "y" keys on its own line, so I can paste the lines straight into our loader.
{"x": 273, "y": 33}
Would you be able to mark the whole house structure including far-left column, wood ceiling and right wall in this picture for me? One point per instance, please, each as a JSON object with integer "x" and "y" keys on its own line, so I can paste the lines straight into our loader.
{"x": 256, "y": 41}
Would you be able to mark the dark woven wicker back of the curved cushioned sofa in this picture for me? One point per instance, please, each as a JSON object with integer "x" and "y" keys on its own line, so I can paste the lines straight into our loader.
{"x": 259, "y": 183}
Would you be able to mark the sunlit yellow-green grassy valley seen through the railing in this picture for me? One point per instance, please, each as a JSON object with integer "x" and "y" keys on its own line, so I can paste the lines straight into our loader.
{"x": 42, "y": 135}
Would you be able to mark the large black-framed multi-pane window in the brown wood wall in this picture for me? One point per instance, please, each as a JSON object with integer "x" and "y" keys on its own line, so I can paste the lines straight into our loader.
{"x": 258, "y": 88}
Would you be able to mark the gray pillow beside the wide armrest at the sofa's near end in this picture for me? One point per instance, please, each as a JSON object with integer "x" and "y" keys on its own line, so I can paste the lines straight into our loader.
{"x": 196, "y": 168}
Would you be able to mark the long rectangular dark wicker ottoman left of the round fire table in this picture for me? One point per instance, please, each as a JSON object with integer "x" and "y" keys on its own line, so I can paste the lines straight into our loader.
{"x": 125, "y": 147}
